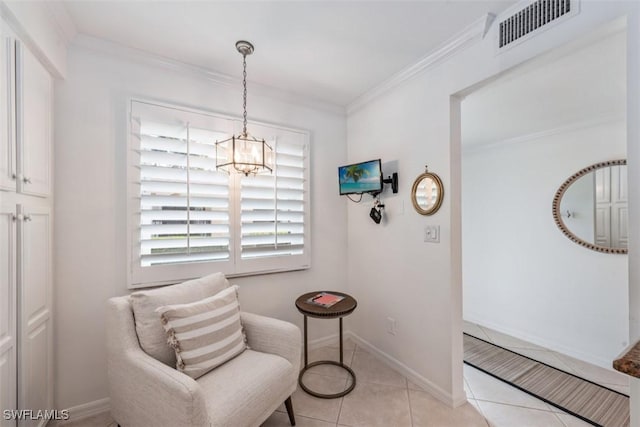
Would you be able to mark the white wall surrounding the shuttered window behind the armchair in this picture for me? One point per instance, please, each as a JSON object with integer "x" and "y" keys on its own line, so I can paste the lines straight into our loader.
{"x": 90, "y": 204}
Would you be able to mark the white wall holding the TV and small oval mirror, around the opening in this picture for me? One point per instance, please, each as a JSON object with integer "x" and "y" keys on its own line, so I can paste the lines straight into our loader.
{"x": 391, "y": 271}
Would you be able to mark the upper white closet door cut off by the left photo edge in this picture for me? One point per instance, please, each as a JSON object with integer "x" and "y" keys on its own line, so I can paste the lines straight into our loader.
{"x": 8, "y": 163}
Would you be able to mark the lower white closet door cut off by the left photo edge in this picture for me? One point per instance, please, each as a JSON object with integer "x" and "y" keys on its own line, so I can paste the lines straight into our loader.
{"x": 8, "y": 333}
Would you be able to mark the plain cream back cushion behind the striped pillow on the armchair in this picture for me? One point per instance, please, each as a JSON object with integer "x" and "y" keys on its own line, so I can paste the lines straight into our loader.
{"x": 151, "y": 334}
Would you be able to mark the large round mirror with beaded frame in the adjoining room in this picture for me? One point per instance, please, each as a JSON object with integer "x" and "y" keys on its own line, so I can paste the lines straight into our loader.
{"x": 590, "y": 207}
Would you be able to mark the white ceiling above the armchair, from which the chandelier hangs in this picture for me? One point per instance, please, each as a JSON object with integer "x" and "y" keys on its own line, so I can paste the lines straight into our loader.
{"x": 332, "y": 51}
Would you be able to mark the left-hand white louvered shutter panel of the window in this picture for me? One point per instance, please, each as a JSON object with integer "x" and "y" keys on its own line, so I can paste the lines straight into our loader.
{"x": 184, "y": 202}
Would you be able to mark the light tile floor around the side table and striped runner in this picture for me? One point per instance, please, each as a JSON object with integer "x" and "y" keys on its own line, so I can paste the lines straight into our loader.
{"x": 383, "y": 397}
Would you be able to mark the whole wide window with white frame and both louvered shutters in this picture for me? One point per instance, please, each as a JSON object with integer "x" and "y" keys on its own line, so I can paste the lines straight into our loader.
{"x": 186, "y": 219}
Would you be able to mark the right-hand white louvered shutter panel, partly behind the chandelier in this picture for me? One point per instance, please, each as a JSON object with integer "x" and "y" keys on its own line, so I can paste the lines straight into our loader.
{"x": 273, "y": 206}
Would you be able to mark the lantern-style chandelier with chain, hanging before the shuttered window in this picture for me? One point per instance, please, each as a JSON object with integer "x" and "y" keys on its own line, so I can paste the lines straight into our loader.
{"x": 244, "y": 153}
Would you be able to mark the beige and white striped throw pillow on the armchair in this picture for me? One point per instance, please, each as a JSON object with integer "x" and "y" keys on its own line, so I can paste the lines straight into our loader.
{"x": 206, "y": 333}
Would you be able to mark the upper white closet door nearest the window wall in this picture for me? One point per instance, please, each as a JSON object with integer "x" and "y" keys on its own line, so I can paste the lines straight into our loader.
{"x": 34, "y": 97}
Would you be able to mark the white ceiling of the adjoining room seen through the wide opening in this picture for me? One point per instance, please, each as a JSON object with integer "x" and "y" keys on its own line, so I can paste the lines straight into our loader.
{"x": 574, "y": 85}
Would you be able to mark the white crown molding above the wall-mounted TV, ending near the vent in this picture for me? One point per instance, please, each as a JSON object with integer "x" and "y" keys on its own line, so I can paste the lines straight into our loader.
{"x": 477, "y": 30}
